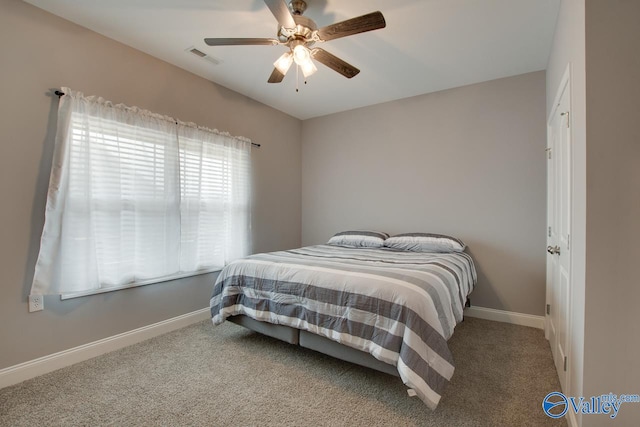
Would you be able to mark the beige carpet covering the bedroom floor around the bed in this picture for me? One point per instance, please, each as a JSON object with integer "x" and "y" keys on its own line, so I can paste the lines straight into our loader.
{"x": 227, "y": 376}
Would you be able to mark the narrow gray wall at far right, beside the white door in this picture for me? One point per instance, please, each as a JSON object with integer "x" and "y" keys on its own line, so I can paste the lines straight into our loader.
{"x": 612, "y": 339}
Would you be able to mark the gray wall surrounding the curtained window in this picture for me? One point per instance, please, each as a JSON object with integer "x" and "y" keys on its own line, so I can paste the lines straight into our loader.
{"x": 41, "y": 52}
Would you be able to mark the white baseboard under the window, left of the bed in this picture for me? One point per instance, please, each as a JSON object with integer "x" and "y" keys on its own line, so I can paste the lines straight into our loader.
{"x": 33, "y": 368}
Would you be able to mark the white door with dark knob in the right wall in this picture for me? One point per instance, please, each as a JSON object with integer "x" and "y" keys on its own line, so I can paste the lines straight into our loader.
{"x": 559, "y": 230}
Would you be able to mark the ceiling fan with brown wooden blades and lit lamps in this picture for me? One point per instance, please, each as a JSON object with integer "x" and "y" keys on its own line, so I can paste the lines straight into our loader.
{"x": 299, "y": 33}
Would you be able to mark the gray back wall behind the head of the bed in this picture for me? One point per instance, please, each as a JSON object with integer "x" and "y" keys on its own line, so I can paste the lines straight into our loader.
{"x": 469, "y": 162}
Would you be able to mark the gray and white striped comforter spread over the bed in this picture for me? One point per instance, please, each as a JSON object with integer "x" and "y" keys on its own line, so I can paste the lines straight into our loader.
{"x": 401, "y": 307}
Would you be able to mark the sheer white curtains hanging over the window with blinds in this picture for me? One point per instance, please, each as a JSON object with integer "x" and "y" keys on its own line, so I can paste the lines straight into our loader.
{"x": 135, "y": 196}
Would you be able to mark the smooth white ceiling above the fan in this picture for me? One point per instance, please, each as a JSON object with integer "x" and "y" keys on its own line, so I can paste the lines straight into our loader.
{"x": 427, "y": 46}
